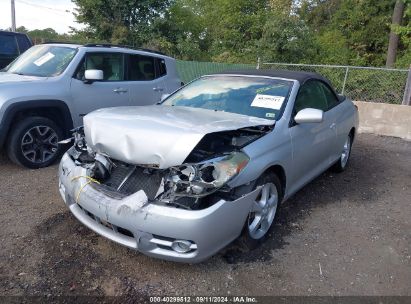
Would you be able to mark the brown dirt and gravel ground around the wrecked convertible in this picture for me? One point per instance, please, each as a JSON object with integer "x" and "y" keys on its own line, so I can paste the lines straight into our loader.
{"x": 346, "y": 234}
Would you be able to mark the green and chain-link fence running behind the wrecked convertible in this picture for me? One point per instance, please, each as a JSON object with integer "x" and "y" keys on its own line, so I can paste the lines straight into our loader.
{"x": 358, "y": 83}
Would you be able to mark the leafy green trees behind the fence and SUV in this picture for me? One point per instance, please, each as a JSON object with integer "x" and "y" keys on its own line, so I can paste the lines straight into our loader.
{"x": 346, "y": 32}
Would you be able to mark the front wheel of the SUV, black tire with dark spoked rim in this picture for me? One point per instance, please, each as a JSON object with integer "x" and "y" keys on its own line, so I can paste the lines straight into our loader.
{"x": 33, "y": 142}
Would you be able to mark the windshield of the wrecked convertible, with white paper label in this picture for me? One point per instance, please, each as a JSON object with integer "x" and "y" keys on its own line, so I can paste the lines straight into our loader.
{"x": 252, "y": 96}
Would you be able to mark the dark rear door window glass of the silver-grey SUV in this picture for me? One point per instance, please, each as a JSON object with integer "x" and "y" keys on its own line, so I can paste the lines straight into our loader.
{"x": 141, "y": 68}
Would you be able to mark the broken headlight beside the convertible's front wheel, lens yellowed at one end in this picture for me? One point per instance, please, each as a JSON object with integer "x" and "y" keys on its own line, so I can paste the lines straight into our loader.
{"x": 204, "y": 178}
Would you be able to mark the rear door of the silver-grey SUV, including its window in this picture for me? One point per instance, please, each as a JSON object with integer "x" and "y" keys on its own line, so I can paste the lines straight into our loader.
{"x": 146, "y": 79}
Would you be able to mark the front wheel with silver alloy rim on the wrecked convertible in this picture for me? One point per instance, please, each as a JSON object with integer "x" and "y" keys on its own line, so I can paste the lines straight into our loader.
{"x": 250, "y": 239}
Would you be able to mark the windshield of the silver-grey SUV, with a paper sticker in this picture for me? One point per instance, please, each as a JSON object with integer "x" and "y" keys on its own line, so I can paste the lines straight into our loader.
{"x": 42, "y": 60}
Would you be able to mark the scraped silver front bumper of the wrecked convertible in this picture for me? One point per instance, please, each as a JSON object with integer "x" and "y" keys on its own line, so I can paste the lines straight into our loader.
{"x": 155, "y": 230}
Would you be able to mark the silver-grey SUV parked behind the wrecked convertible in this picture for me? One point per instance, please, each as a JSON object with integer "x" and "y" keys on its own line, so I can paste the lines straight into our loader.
{"x": 46, "y": 92}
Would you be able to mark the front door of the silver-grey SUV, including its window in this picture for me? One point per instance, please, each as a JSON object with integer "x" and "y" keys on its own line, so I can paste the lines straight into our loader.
{"x": 112, "y": 91}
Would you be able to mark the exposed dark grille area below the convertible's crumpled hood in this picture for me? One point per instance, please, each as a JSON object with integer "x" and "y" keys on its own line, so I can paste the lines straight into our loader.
{"x": 128, "y": 179}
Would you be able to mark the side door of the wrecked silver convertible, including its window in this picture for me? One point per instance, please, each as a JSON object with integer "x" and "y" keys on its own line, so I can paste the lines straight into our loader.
{"x": 311, "y": 142}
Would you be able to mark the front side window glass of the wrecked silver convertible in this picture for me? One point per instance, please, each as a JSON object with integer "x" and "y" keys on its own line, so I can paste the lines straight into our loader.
{"x": 310, "y": 95}
